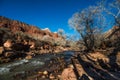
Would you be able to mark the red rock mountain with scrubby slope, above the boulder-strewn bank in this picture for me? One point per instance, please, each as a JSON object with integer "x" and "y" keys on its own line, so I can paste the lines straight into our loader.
{"x": 24, "y": 33}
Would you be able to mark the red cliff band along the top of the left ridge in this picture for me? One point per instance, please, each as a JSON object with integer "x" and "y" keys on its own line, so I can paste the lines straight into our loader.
{"x": 16, "y": 26}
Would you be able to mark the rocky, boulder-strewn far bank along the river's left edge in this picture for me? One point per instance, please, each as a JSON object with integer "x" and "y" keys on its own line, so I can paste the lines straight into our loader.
{"x": 8, "y": 54}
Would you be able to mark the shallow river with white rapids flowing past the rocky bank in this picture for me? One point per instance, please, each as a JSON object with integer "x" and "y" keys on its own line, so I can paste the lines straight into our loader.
{"x": 8, "y": 70}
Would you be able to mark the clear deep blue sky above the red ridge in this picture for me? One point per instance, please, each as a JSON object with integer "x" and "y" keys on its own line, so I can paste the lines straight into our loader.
{"x": 52, "y": 14}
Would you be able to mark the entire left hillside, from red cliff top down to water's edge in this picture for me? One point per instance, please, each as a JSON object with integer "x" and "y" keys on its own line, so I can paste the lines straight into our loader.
{"x": 20, "y": 40}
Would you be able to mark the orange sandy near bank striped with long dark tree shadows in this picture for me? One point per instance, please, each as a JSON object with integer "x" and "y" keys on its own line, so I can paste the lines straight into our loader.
{"x": 94, "y": 66}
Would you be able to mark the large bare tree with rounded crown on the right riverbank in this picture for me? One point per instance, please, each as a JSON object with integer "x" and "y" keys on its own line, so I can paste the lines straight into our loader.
{"x": 88, "y": 22}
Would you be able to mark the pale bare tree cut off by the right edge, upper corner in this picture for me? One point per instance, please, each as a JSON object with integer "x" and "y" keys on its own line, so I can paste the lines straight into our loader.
{"x": 114, "y": 10}
